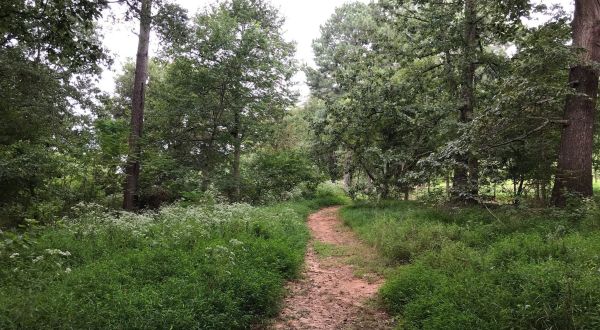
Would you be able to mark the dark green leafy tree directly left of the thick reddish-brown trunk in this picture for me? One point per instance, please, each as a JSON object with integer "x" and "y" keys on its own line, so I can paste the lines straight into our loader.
{"x": 517, "y": 127}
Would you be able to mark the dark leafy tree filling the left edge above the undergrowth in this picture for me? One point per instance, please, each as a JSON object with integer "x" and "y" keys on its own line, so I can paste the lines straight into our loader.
{"x": 48, "y": 50}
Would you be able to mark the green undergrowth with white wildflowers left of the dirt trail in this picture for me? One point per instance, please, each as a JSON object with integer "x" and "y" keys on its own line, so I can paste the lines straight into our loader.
{"x": 212, "y": 266}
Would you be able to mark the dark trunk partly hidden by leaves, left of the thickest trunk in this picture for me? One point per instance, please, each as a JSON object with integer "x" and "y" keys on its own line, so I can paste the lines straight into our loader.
{"x": 466, "y": 172}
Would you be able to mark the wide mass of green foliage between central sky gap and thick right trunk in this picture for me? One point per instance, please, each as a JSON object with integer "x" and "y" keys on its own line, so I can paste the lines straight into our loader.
{"x": 390, "y": 80}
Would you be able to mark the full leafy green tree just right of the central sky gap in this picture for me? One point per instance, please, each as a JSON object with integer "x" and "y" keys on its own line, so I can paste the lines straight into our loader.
{"x": 375, "y": 103}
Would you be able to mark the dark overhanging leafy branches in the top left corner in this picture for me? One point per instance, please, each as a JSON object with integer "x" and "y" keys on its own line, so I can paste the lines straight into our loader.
{"x": 61, "y": 33}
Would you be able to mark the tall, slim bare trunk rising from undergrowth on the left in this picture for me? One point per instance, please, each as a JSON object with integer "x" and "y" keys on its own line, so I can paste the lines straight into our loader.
{"x": 132, "y": 168}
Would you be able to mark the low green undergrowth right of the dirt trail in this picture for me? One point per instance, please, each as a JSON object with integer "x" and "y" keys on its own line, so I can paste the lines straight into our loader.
{"x": 486, "y": 269}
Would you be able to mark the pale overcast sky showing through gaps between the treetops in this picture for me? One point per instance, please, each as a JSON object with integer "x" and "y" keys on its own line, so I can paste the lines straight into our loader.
{"x": 303, "y": 20}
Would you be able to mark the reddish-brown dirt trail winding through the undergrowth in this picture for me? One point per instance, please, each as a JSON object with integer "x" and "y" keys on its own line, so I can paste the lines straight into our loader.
{"x": 329, "y": 295}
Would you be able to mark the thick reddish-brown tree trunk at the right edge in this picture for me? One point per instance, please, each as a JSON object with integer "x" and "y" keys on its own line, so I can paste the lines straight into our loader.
{"x": 574, "y": 172}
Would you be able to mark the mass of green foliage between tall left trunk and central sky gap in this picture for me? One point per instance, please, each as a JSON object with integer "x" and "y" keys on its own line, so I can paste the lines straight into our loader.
{"x": 216, "y": 96}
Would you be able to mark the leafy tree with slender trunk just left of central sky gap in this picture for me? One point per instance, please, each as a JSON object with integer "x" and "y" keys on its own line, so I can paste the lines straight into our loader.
{"x": 228, "y": 85}
